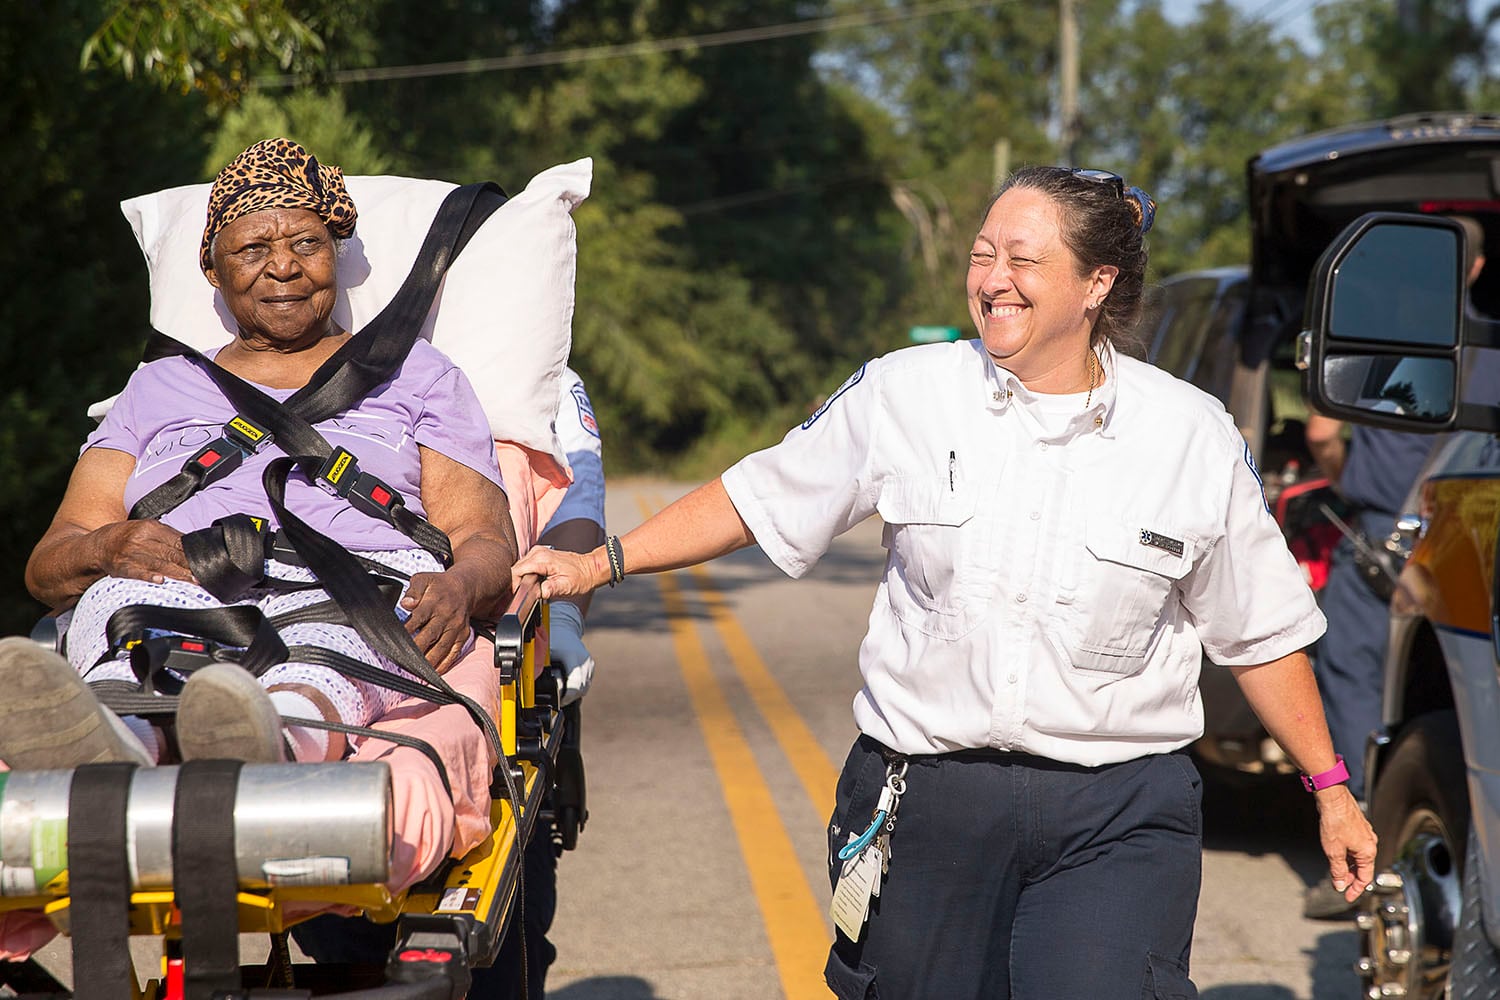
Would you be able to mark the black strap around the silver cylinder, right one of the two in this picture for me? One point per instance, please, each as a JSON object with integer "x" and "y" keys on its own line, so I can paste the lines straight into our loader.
{"x": 206, "y": 876}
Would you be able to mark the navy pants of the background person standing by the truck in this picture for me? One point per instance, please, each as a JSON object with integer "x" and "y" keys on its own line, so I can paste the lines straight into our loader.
{"x": 1351, "y": 659}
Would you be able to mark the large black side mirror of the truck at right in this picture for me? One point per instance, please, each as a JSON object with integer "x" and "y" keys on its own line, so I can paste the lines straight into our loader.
{"x": 1385, "y": 325}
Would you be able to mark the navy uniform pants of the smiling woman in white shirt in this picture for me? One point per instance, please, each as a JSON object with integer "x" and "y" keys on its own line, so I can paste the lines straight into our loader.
{"x": 1016, "y": 876}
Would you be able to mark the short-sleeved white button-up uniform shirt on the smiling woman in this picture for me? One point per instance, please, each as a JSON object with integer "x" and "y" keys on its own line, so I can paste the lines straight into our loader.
{"x": 1045, "y": 591}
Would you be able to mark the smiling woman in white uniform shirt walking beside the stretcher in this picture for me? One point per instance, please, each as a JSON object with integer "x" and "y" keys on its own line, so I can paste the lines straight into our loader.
{"x": 1069, "y": 530}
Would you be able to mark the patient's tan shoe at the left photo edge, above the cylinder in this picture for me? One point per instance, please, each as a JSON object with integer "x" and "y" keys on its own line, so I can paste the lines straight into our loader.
{"x": 50, "y": 719}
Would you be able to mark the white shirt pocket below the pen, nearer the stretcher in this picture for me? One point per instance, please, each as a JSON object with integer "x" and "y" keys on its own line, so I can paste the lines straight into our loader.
{"x": 934, "y": 537}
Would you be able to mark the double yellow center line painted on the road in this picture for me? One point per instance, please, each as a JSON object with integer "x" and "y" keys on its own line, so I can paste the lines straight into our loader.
{"x": 794, "y": 921}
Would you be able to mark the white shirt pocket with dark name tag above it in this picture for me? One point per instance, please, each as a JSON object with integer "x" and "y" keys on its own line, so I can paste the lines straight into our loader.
{"x": 1129, "y": 579}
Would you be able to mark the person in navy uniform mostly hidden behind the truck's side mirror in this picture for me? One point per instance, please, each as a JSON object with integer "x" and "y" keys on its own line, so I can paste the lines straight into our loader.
{"x": 1373, "y": 472}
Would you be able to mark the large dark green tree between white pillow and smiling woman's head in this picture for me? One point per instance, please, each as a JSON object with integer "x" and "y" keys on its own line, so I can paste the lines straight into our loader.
{"x": 715, "y": 275}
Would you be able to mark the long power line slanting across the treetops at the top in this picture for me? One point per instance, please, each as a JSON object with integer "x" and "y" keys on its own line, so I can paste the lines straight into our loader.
{"x": 646, "y": 47}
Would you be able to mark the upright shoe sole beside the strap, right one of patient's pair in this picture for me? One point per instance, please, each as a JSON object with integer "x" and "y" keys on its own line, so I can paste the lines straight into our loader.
{"x": 224, "y": 714}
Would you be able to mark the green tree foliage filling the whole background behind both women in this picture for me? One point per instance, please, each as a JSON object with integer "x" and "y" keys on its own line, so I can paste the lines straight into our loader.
{"x": 764, "y": 215}
